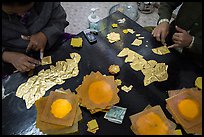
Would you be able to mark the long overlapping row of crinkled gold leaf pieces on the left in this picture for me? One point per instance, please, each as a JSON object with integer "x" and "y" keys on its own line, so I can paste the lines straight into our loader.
{"x": 37, "y": 85}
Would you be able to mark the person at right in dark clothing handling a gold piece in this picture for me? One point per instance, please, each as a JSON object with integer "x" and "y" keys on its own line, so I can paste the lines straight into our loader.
{"x": 185, "y": 32}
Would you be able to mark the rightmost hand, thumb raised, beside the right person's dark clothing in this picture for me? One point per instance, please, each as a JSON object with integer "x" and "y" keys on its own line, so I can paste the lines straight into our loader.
{"x": 181, "y": 38}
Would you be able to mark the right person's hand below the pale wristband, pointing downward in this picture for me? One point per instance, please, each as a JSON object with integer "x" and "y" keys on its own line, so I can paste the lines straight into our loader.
{"x": 161, "y": 31}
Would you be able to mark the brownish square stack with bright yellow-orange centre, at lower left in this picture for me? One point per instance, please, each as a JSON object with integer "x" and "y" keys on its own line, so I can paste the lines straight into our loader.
{"x": 58, "y": 113}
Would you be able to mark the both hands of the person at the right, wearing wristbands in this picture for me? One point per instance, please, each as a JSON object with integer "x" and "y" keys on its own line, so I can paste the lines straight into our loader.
{"x": 181, "y": 38}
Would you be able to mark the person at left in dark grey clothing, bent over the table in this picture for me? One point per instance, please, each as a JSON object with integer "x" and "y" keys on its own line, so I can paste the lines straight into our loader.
{"x": 29, "y": 27}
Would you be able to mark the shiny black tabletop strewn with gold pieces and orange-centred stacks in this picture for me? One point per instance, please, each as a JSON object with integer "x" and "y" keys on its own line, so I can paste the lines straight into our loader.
{"x": 16, "y": 119}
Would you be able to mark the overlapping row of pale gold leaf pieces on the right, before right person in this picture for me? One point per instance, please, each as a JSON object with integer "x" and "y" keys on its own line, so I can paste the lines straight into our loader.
{"x": 152, "y": 70}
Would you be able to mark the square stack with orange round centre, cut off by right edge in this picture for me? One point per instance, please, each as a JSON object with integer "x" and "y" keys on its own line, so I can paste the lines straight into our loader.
{"x": 185, "y": 105}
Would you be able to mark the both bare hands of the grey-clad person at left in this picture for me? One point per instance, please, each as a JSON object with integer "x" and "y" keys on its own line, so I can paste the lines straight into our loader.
{"x": 22, "y": 62}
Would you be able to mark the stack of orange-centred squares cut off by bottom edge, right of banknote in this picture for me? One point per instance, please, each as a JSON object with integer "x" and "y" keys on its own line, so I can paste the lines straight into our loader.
{"x": 152, "y": 121}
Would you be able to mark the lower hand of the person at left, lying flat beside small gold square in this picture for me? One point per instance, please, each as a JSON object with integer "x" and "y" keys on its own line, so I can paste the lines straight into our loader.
{"x": 20, "y": 61}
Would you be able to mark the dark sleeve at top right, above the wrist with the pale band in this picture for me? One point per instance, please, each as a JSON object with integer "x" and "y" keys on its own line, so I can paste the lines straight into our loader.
{"x": 166, "y": 9}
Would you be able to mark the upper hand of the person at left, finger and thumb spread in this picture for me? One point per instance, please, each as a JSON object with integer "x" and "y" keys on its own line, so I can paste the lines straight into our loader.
{"x": 37, "y": 42}
